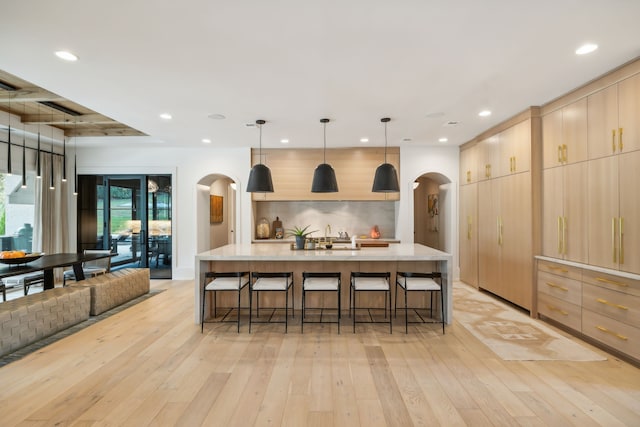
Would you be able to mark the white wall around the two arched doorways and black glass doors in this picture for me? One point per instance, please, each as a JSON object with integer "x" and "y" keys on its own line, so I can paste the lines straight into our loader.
{"x": 189, "y": 166}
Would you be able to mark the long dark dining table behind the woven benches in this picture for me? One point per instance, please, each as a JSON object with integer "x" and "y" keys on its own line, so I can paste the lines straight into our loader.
{"x": 47, "y": 263}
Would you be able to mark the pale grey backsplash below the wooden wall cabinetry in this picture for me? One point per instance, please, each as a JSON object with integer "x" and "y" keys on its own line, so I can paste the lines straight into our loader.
{"x": 354, "y": 217}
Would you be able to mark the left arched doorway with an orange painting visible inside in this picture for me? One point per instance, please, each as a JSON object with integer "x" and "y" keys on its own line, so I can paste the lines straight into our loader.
{"x": 216, "y": 212}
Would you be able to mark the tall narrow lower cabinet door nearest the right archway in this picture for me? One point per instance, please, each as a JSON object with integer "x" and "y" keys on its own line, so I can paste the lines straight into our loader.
{"x": 469, "y": 234}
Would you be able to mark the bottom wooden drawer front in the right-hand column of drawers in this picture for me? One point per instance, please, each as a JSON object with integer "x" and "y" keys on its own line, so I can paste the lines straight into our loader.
{"x": 615, "y": 334}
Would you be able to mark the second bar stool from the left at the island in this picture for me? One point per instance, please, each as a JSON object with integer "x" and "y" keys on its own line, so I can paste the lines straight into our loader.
{"x": 271, "y": 282}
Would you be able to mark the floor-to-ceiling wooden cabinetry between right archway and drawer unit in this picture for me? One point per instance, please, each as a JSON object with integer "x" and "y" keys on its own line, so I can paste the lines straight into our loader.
{"x": 497, "y": 217}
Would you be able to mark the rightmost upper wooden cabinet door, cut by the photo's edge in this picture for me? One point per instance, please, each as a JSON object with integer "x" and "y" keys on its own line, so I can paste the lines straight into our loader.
{"x": 629, "y": 114}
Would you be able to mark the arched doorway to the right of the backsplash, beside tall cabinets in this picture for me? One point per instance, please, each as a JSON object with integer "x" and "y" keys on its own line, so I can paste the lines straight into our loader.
{"x": 432, "y": 200}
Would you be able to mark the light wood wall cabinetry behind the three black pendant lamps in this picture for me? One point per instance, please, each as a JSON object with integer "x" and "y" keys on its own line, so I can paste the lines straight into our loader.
{"x": 292, "y": 173}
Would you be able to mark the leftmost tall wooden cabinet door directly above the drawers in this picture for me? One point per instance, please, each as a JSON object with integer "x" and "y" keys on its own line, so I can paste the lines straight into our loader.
{"x": 552, "y": 212}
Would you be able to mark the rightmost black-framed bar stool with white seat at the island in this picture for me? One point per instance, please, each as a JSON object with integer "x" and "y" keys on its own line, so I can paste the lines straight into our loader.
{"x": 423, "y": 282}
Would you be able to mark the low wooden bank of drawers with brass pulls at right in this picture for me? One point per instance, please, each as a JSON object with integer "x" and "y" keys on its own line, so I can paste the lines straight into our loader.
{"x": 602, "y": 305}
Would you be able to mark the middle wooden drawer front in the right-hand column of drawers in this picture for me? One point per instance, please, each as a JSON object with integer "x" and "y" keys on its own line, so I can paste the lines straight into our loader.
{"x": 617, "y": 305}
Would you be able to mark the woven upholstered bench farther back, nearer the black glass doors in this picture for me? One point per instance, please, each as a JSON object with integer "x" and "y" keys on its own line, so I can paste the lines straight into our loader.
{"x": 115, "y": 288}
